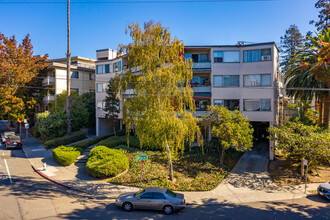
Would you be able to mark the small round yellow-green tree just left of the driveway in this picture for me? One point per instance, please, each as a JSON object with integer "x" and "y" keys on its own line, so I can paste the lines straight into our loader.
{"x": 231, "y": 128}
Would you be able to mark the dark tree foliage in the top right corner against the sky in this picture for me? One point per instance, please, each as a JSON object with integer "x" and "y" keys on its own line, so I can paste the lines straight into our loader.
{"x": 324, "y": 15}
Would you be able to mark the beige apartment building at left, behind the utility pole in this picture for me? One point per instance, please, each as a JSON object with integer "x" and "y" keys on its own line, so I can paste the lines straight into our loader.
{"x": 54, "y": 78}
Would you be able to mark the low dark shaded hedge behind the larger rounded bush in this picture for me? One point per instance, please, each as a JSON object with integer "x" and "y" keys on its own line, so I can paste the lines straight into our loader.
{"x": 115, "y": 141}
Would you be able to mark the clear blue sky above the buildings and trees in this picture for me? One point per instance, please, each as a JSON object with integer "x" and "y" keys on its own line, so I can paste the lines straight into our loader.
{"x": 99, "y": 26}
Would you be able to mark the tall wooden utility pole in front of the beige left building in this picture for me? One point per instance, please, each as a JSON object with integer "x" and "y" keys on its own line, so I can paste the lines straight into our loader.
{"x": 68, "y": 75}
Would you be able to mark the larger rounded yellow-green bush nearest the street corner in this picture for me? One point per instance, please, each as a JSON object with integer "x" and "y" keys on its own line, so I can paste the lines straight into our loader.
{"x": 105, "y": 162}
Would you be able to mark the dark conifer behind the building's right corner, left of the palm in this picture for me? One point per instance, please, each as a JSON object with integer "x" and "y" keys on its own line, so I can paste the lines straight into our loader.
{"x": 290, "y": 43}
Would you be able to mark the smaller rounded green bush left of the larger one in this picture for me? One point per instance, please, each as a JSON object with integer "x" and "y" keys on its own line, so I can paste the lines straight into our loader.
{"x": 66, "y": 155}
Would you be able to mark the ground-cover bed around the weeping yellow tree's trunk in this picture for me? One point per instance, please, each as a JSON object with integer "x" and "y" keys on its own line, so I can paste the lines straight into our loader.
{"x": 192, "y": 171}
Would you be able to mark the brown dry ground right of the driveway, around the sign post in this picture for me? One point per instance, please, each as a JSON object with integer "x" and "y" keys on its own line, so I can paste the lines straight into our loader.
{"x": 286, "y": 172}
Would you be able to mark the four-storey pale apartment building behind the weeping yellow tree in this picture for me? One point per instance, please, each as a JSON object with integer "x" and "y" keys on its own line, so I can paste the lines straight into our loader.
{"x": 245, "y": 77}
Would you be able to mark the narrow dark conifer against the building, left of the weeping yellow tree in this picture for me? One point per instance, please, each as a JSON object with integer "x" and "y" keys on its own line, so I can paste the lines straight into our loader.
{"x": 112, "y": 104}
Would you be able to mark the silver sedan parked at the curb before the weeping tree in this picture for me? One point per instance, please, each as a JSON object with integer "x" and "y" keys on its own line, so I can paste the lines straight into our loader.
{"x": 153, "y": 198}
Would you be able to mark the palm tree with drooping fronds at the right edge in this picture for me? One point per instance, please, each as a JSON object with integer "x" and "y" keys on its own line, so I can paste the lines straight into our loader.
{"x": 309, "y": 69}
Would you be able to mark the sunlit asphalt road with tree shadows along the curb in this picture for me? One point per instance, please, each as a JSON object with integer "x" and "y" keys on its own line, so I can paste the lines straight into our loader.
{"x": 26, "y": 195}
